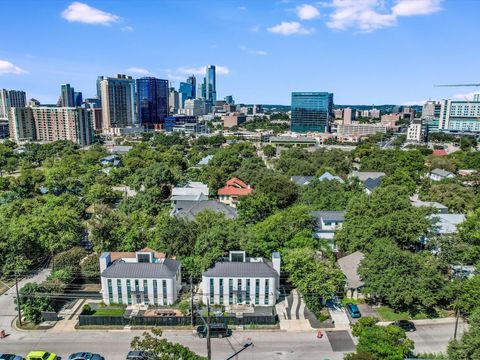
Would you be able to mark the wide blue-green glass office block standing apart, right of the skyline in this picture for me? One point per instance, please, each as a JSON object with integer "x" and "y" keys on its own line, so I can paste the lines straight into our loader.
{"x": 311, "y": 111}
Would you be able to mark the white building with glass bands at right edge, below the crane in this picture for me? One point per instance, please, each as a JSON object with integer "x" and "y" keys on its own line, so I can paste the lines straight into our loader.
{"x": 459, "y": 115}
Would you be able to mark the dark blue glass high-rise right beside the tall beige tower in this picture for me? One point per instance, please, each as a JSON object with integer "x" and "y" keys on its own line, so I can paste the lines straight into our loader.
{"x": 152, "y": 100}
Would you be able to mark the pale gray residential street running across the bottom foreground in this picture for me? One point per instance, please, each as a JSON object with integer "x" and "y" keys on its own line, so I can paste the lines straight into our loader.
{"x": 268, "y": 344}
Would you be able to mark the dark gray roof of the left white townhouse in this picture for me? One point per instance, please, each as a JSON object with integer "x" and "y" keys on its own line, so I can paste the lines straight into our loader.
{"x": 121, "y": 269}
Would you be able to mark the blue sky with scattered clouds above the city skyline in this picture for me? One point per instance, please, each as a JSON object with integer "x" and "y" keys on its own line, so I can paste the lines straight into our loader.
{"x": 364, "y": 51}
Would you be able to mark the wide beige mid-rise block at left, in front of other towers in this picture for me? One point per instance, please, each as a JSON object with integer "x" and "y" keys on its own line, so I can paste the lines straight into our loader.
{"x": 51, "y": 124}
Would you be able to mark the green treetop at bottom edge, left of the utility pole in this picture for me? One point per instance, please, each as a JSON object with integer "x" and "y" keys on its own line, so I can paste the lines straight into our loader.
{"x": 162, "y": 349}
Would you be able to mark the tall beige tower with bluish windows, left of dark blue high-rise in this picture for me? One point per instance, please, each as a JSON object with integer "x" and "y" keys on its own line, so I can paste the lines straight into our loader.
{"x": 118, "y": 101}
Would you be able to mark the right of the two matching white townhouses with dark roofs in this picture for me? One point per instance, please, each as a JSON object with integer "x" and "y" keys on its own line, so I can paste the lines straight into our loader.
{"x": 242, "y": 280}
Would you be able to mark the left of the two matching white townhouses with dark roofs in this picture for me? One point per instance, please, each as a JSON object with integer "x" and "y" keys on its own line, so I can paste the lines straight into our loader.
{"x": 144, "y": 277}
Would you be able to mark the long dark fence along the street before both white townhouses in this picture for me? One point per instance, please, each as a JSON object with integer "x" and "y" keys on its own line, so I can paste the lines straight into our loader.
{"x": 90, "y": 320}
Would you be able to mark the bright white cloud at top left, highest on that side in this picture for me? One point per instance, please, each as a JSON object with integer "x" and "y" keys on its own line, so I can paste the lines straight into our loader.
{"x": 80, "y": 12}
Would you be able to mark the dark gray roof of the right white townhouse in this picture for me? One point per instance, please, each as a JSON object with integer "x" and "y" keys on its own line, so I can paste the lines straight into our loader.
{"x": 241, "y": 269}
